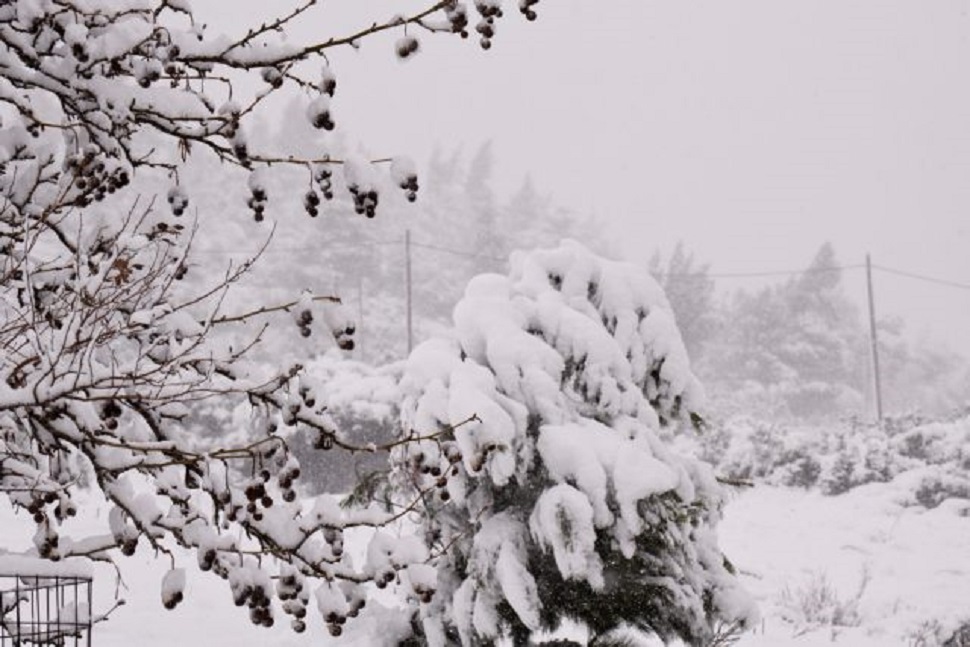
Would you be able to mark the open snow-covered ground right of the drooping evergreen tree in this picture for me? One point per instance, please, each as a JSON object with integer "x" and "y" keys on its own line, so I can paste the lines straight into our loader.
{"x": 895, "y": 571}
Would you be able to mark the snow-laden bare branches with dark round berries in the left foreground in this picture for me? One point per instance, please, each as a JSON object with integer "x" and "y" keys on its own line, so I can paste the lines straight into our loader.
{"x": 106, "y": 348}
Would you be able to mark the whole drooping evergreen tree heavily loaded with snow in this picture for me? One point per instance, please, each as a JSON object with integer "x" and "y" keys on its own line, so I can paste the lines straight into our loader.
{"x": 548, "y": 493}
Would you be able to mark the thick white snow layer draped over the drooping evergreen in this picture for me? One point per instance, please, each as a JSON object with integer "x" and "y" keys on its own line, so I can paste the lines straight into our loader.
{"x": 555, "y": 381}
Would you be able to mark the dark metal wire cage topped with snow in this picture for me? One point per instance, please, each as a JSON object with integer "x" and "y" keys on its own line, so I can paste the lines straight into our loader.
{"x": 40, "y": 610}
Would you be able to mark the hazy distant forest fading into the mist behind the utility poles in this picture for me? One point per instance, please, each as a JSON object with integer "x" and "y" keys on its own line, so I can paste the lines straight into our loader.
{"x": 795, "y": 347}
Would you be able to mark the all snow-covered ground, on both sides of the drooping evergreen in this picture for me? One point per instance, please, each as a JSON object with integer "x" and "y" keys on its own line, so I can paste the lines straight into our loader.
{"x": 806, "y": 557}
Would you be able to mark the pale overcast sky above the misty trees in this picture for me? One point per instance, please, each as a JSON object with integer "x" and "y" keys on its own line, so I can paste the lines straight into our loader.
{"x": 752, "y": 130}
